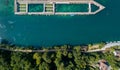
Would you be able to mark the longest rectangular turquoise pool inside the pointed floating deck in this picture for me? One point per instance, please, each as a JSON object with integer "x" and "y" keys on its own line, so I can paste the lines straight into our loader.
{"x": 75, "y": 7}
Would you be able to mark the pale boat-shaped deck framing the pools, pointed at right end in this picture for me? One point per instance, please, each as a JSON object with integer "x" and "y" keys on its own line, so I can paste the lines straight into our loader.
{"x": 53, "y": 2}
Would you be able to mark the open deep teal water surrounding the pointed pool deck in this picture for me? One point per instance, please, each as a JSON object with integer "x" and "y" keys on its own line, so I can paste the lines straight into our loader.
{"x": 57, "y": 30}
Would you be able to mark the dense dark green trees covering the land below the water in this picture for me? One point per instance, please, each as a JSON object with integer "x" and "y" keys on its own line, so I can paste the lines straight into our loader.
{"x": 69, "y": 58}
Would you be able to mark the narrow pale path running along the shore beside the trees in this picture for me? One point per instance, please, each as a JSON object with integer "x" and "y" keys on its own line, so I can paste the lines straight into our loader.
{"x": 108, "y": 45}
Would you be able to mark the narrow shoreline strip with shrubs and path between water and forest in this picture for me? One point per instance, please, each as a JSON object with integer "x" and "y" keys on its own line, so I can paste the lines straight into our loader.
{"x": 92, "y": 47}
